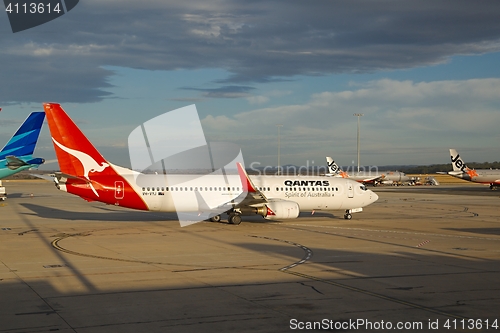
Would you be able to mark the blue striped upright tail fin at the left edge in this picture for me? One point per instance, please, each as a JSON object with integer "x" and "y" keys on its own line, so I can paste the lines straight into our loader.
{"x": 23, "y": 142}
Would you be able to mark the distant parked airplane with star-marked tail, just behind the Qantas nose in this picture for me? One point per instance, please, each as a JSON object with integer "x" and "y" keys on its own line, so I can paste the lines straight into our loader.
{"x": 389, "y": 177}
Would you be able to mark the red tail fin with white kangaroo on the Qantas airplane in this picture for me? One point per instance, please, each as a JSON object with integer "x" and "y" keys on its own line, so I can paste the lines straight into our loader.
{"x": 76, "y": 155}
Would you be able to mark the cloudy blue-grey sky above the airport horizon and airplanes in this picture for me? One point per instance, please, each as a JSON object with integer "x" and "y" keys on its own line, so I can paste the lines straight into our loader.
{"x": 425, "y": 74}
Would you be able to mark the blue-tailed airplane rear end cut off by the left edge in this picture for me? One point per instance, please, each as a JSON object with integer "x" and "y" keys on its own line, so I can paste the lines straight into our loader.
{"x": 17, "y": 154}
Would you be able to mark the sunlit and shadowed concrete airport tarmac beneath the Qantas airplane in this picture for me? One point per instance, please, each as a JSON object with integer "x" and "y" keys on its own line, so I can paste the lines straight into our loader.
{"x": 419, "y": 257}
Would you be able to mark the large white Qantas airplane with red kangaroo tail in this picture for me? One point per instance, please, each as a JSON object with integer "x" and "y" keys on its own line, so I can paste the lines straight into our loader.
{"x": 86, "y": 173}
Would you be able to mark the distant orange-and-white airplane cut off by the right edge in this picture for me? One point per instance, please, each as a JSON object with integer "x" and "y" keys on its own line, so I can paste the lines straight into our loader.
{"x": 483, "y": 176}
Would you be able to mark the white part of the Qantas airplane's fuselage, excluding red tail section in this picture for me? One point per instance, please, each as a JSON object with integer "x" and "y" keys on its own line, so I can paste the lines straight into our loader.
{"x": 183, "y": 192}
